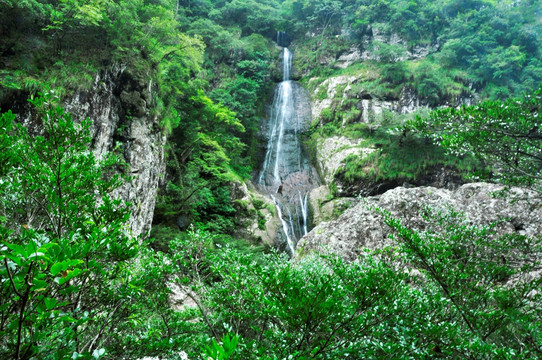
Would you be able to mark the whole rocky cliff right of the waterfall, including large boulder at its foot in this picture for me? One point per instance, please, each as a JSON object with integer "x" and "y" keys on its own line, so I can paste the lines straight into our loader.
{"x": 348, "y": 108}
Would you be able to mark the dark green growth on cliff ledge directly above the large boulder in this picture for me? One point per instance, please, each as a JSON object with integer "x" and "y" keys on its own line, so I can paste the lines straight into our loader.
{"x": 397, "y": 157}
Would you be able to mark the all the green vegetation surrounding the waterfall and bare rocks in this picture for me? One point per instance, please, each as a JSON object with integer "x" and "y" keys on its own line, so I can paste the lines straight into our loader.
{"x": 75, "y": 283}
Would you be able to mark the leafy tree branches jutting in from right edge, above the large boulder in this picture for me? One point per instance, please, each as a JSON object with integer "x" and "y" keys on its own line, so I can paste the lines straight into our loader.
{"x": 507, "y": 134}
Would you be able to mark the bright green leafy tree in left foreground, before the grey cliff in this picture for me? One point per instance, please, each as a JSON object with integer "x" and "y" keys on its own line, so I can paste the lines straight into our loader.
{"x": 64, "y": 249}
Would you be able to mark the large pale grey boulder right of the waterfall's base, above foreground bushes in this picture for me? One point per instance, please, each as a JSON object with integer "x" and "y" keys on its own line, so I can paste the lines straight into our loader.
{"x": 360, "y": 227}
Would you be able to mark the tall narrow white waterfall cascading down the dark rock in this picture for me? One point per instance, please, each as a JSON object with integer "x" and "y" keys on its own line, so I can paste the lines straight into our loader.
{"x": 286, "y": 174}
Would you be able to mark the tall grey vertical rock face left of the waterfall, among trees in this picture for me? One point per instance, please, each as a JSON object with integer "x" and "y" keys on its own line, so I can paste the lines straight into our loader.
{"x": 119, "y": 105}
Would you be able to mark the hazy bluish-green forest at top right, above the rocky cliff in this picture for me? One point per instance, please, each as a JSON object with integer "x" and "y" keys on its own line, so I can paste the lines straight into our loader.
{"x": 495, "y": 43}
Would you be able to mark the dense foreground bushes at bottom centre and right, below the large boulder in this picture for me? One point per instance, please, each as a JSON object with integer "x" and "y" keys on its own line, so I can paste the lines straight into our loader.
{"x": 467, "y": 301}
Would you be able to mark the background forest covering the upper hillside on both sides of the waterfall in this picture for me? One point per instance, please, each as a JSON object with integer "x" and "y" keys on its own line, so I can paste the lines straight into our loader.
{"x": 214, "y": 64}
